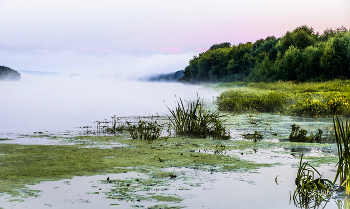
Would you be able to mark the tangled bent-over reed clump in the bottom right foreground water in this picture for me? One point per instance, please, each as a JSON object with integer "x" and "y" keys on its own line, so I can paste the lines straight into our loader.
{"x": 310, "y": 190}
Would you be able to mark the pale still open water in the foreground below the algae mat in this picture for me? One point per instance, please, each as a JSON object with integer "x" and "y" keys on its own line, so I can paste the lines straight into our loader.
{"x": 199, "y": 189}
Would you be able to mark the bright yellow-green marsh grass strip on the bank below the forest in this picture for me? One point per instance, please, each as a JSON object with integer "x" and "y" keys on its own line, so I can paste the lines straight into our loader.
{"x": 322, "y": 99}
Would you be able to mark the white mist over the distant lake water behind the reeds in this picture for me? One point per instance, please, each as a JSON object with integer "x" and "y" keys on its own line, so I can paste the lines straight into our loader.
{"x": 54, "y": 103}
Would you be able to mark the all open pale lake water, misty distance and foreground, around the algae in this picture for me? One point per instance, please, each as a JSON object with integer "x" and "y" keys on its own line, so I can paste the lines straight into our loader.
{"x": 56, "y": 106}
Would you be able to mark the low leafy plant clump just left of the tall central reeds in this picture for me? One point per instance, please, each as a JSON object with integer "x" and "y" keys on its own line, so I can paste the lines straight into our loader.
{"x": 145, "y": 130}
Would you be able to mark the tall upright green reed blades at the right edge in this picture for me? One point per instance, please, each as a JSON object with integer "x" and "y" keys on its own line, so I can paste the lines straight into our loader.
{"x": 342, "y": 137}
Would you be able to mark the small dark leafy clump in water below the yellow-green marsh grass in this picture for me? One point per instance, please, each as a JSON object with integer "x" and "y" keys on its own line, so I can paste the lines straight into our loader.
{"x": 299, "y": 135}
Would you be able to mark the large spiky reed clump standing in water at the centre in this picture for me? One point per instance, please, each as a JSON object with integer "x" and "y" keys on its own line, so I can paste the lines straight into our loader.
{"x": 194, "y": 120}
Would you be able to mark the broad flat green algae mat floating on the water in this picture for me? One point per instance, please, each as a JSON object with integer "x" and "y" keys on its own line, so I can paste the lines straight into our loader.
{"x": 31, "y": 164}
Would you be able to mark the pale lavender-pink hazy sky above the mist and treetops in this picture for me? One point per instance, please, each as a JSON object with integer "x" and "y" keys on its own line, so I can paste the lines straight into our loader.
{"x": 136, "y": 38}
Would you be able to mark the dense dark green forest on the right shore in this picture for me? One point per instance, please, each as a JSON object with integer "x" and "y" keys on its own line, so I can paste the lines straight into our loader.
{"x": 300, "y": 55}
